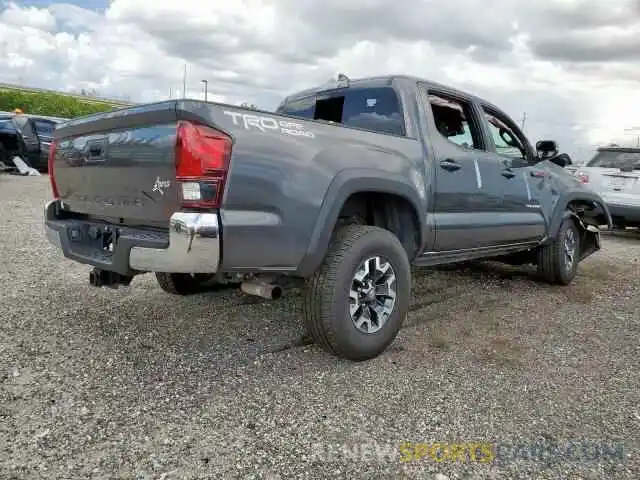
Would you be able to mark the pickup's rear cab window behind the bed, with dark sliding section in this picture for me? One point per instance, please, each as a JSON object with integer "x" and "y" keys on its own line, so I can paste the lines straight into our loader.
{"x": 373, "y": 109}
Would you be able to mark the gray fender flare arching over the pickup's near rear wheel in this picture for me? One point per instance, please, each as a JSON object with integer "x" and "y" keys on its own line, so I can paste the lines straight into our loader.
{"x": 346, "y": 183}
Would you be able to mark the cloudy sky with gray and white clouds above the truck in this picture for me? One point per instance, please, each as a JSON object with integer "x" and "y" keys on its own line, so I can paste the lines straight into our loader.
{"x": 572, "y": 65}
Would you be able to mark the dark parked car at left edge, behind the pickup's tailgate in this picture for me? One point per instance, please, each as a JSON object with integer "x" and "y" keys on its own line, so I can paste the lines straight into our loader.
{"x": 27, "y": 136}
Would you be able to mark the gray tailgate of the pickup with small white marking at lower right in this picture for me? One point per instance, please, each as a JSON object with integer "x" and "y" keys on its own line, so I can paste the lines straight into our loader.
{"x": 119, "y": 165}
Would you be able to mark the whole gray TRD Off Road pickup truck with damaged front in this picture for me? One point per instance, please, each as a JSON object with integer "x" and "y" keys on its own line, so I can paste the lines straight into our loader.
{"x": 344, "y": 186}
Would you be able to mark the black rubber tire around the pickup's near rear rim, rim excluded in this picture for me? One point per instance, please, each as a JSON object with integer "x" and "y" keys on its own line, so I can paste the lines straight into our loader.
{"x": 326, "y": 300}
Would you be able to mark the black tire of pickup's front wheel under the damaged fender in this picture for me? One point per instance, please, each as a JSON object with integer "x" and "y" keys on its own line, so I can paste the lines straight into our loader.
{"x": 554, "y": 265}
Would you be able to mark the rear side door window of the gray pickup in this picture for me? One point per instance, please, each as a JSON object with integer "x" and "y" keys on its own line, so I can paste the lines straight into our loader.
{"x": 454, "y": 121}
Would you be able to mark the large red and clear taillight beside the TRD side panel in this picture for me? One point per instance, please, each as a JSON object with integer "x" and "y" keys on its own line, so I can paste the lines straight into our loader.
{"x": 202, "y": 163}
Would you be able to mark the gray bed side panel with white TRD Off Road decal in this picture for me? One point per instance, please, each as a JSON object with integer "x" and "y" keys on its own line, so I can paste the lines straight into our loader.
{"x": 286, "y": 174}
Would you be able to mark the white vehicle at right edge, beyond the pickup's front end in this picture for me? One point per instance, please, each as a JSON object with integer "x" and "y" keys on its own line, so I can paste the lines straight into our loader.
{"x": 614, "y": 173}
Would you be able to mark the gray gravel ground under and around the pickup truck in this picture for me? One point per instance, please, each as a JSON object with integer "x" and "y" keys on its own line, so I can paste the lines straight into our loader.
{"x": 135, "y": 383}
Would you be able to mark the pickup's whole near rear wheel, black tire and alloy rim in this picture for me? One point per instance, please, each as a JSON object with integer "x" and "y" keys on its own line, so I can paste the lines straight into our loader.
{"x": 356, "y": 302}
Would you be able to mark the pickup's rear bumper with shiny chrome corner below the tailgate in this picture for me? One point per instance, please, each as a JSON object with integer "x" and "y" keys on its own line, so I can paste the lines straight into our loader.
{"x": 191, "y": 245}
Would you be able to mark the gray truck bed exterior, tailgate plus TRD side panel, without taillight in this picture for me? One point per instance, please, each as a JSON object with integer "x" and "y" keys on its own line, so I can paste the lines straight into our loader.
{"x": 120, "y": 167}
